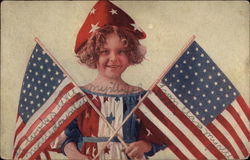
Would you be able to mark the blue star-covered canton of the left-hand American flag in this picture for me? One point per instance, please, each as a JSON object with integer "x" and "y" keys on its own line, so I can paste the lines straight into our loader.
{"x": 41, "y": 78}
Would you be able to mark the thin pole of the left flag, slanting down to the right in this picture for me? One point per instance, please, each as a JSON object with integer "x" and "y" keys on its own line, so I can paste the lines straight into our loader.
{"x": 89, "y": 101}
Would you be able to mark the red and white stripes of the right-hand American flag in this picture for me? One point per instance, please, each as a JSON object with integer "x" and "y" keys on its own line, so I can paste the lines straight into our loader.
{"x": 230, "y": 131}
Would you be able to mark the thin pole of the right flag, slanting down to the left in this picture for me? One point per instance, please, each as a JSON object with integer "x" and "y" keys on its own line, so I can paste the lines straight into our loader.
{"x": 148, "y": 92}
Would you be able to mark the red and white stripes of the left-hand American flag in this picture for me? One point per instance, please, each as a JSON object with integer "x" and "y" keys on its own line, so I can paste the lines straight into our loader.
{"x": 25, "y": 145}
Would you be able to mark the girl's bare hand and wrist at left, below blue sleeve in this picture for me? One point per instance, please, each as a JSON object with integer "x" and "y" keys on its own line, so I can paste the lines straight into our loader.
{"x": 72, "y": 153}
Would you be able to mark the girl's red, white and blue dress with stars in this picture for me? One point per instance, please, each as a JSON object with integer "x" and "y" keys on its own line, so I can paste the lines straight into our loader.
{"x": 90, "y": 132}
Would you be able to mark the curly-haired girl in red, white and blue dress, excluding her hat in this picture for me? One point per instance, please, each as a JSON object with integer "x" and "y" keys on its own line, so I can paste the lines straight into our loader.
{"x": 110, "y": 49}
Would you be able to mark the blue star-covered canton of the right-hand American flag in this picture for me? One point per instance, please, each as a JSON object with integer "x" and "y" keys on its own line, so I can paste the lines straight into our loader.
{"x": 200, "y": 85}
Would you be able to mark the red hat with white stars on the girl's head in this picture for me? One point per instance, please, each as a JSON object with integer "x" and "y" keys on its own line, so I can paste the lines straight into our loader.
{"x": 106, "y": 13}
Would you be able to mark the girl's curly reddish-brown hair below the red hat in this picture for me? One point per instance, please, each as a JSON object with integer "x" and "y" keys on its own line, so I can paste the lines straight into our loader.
{"x": 90, "y": 50}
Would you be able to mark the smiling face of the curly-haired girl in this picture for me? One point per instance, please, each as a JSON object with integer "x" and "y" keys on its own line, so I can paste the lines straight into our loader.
{"x": 112, "y": 60}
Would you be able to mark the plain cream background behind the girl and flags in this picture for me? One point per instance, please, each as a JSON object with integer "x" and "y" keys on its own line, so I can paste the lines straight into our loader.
{"x": 221, "y": 28}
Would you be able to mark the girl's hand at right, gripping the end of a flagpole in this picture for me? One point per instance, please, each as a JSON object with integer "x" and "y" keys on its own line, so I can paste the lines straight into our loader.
{"x": 137, "y": 149}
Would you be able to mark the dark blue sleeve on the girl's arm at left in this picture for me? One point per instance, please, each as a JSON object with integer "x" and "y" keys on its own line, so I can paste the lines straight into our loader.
{"x": 73, "y": 133}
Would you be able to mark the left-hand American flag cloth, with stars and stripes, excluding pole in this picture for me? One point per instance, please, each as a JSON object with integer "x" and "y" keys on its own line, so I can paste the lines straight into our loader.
{"x": 49, "y": 101}
